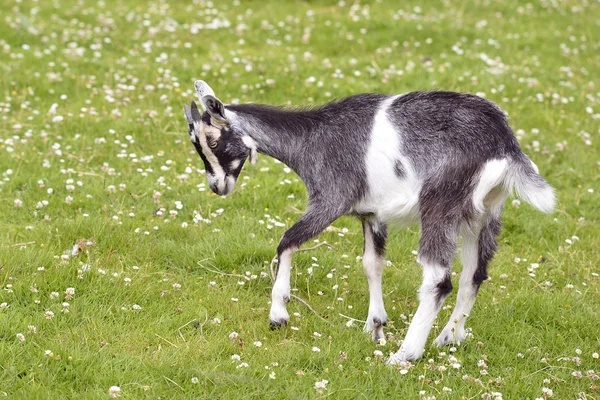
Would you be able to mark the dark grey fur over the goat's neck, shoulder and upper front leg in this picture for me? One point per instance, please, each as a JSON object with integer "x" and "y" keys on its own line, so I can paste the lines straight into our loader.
{"x": 323, "y": 146}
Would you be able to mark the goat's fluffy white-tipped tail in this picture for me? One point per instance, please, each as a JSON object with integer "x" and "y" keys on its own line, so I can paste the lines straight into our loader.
{"x": 522, "y": 176}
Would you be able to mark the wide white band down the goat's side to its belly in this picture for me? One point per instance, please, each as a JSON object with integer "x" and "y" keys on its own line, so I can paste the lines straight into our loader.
{"x": 389, "y": 197}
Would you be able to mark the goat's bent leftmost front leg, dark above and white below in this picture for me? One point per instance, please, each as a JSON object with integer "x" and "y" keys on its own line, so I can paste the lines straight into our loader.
{"x": 312, "y": 223}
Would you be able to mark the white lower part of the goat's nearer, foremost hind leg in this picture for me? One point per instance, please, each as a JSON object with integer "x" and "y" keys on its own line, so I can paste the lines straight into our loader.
{"x": 413, "y": 345}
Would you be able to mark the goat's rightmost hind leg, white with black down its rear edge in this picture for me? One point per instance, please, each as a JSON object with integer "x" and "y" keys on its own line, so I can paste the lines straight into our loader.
{"x": 478, "y": 248}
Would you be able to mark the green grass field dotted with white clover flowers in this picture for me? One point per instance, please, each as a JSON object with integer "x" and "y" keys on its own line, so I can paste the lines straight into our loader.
{"x": 119, "y": 267}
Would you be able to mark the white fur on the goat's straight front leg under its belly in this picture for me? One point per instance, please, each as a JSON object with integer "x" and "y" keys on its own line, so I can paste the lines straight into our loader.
{"x": 373, "y": 267}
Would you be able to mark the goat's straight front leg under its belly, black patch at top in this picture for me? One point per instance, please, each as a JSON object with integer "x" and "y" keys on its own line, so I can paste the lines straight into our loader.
{"x": 375, "y": 233}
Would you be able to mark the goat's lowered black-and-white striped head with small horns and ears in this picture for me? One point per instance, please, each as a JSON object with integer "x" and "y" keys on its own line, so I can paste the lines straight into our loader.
{"x": 222, "y": 150}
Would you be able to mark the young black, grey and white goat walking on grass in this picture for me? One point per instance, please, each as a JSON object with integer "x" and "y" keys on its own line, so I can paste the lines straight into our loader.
{"x": 445, "y": 160}
